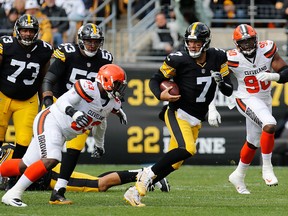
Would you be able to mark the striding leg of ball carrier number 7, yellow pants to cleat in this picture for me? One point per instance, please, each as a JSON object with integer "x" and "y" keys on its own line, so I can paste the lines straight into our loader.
{"x": 182, "y": 146}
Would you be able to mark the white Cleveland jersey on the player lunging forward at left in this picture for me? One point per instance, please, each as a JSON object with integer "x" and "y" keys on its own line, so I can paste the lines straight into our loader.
{"x": 85, "y": 97}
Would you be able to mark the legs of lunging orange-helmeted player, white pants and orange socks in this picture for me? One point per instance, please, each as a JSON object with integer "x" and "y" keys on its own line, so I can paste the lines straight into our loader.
{"x": 39, "y": 157}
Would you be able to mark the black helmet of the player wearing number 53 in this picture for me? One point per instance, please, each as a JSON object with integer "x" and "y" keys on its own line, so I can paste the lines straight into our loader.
{"x": 90, "y": 32}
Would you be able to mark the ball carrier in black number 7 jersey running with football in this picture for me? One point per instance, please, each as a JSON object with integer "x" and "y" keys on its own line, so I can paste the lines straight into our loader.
{"x": 198, "y": 71}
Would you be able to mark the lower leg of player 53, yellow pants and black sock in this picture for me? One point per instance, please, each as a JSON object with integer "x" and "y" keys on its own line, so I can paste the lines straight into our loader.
{"x": 68, "y": 165}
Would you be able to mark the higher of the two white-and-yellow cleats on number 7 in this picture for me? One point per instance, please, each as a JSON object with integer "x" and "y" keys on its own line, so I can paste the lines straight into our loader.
{"x": 144, "y": 179}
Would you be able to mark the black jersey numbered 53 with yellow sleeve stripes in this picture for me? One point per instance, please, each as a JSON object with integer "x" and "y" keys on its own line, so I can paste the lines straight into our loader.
{"x": 70, "y": 65}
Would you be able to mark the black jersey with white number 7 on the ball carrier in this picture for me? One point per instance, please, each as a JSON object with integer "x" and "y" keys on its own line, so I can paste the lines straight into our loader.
{"x": 197, "y": 87}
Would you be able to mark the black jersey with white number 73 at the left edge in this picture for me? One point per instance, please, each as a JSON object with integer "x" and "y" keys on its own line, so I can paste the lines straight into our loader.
{"x": 20, "y": 68}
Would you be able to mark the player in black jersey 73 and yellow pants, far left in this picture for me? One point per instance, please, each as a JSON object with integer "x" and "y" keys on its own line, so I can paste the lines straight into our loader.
{"x": 24, "y": 60}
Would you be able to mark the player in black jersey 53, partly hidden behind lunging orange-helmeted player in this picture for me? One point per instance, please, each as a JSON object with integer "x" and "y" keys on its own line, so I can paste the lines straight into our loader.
{"x": 74, "y": 62}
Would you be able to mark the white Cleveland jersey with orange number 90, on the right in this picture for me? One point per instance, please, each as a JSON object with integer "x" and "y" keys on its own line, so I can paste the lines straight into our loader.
{"x": 245, "y": 70}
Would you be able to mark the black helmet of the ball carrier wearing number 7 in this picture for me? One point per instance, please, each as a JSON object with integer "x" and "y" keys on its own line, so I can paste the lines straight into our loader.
{"x": 200, "y": 32}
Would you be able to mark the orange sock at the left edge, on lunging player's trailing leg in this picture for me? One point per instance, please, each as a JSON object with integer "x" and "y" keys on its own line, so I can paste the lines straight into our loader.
{"x": 10, "y": 168}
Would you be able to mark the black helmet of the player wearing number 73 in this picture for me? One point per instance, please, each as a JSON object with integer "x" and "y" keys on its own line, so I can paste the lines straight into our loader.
{"x": 26, "y": 21}
